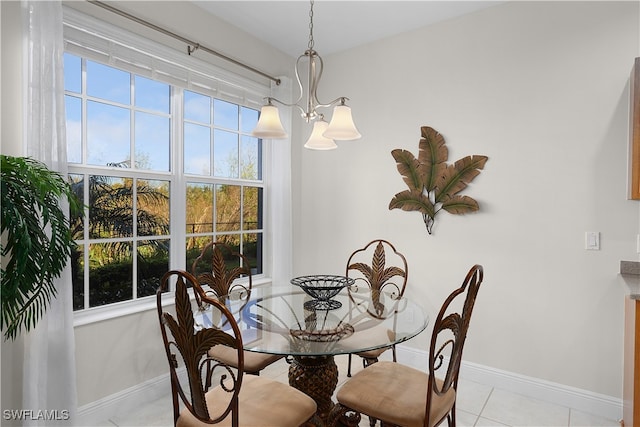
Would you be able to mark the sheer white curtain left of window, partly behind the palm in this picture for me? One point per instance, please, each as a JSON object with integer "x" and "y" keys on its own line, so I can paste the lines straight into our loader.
{"x": 49, "y": 361}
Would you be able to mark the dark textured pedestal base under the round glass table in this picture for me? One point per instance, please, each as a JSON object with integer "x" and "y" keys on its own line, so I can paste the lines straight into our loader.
{"x": 317, "y": 377}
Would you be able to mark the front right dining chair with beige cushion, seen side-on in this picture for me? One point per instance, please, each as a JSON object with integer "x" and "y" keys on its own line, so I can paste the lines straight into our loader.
{"x": 399, "y": 395}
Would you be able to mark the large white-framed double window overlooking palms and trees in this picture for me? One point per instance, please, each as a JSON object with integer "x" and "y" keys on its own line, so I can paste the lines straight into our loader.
{"x": 163, "y": 165}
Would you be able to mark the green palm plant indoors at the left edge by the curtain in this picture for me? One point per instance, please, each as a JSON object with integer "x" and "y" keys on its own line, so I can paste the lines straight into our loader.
{"x": 36, "y": 240}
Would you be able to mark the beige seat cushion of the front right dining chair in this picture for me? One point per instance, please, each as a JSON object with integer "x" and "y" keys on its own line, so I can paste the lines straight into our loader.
{"x": 394, "y": 393}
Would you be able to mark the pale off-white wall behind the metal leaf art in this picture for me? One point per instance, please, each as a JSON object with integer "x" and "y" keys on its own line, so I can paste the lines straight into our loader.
{"x": 541, "y": 88}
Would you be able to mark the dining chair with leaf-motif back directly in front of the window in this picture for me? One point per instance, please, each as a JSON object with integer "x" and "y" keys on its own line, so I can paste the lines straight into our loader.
{"x": 218, "y": 267}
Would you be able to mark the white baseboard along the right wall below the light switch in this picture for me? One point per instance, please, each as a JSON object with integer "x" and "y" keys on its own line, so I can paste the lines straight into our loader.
{"x": 535, "y": 388}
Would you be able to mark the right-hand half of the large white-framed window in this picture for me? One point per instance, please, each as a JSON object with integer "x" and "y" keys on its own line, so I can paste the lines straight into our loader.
{"x": 217, "y": 143}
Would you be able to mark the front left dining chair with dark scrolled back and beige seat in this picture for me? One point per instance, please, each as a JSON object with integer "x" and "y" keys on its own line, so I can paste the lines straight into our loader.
{"x": 236, "y": 399}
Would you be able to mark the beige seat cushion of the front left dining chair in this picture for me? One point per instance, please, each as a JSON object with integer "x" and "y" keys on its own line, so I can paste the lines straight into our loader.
{"x": 262, "y": 402}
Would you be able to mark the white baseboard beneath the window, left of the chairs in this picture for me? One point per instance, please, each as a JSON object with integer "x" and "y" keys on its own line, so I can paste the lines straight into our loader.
{"x": 96, "y": 413}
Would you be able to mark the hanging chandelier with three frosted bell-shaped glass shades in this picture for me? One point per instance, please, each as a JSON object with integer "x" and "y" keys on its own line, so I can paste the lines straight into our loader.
{"x": 341, "y": 126}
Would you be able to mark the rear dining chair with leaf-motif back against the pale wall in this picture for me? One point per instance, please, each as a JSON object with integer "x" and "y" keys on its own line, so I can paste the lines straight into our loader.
{"x": 377, "y": 267}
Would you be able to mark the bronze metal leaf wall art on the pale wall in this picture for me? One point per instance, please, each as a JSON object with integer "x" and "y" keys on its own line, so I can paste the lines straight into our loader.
{"x": 433, "y": 184}
